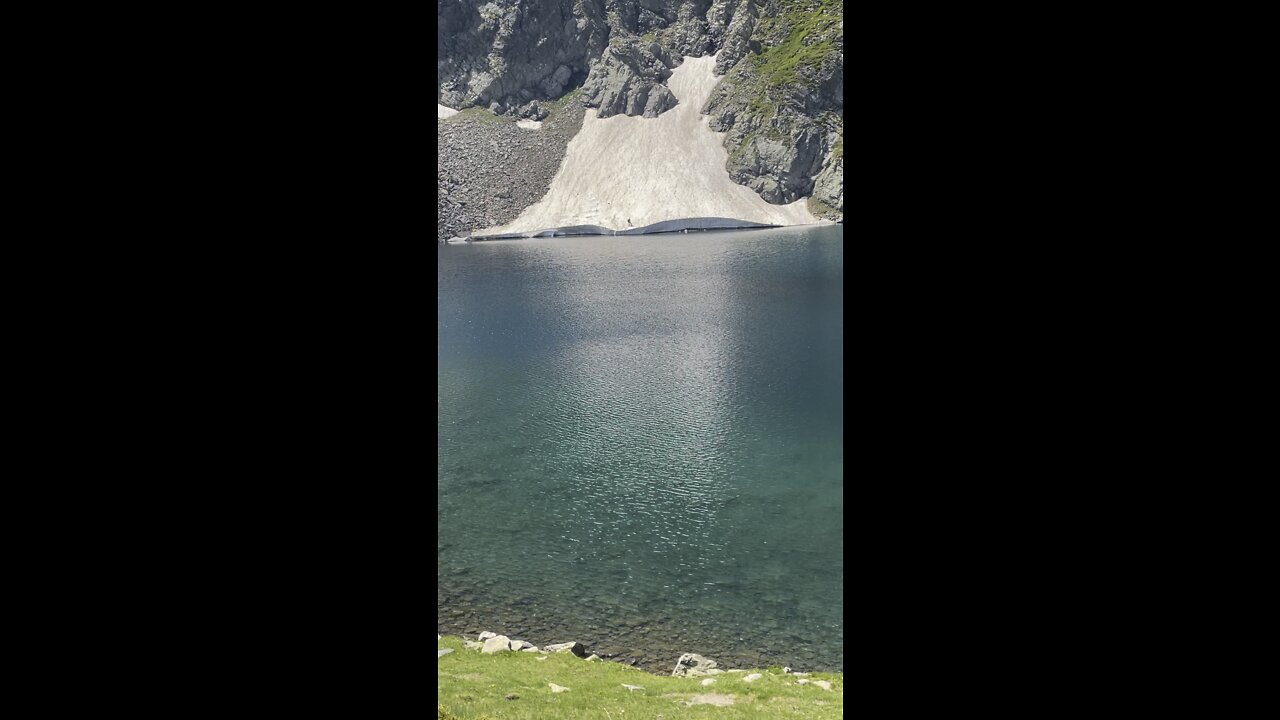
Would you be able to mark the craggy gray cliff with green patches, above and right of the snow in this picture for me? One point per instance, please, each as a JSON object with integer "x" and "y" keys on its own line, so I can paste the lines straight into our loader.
{"x": 780, "y": 104}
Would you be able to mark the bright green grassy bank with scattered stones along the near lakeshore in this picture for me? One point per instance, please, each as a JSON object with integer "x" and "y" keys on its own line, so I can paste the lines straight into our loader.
{"x": 474, "y": 686}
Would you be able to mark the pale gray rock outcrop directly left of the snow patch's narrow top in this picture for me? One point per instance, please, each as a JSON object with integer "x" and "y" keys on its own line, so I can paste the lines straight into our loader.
{"x": 628, "y": 80}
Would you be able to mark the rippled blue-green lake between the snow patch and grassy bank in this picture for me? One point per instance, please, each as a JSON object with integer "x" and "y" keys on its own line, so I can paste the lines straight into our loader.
{"x": 641, "y": 445}
